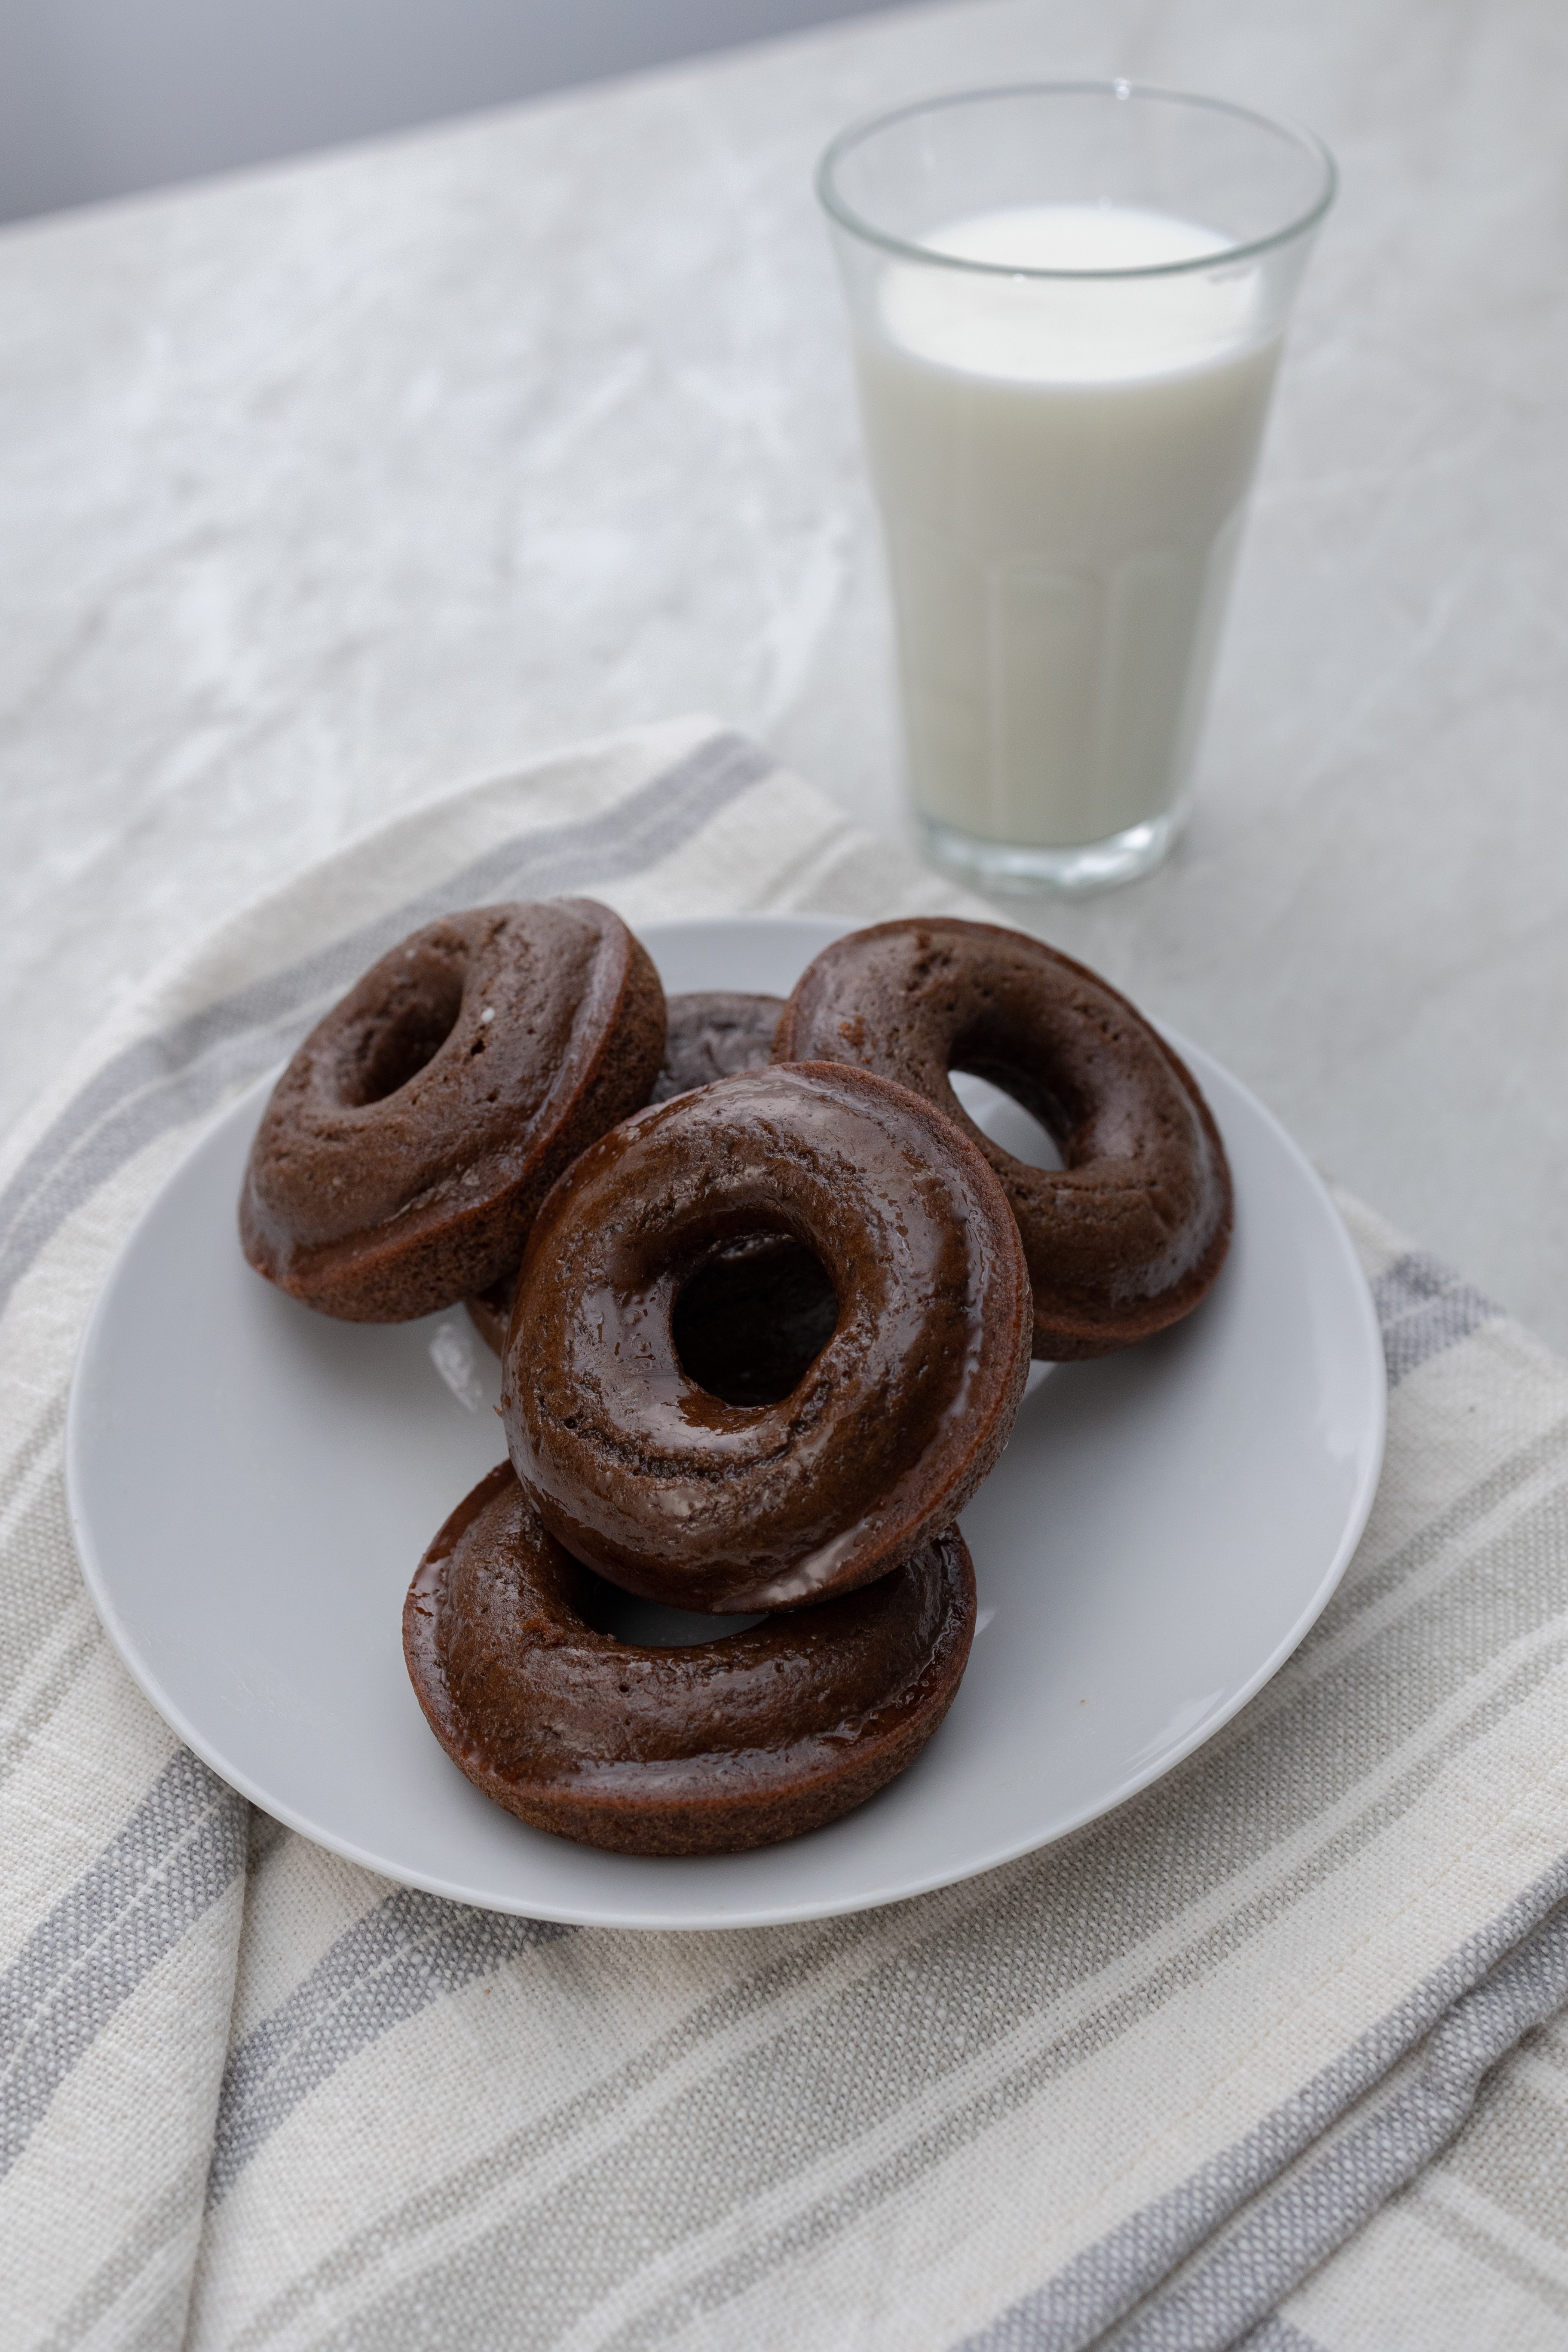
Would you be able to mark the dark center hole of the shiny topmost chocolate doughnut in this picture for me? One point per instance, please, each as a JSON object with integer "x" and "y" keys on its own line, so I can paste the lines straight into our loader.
{"x": 753, "y": 1318}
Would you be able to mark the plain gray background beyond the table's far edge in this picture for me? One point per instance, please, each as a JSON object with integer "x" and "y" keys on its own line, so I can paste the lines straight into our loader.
{"x": 105, "y": 98}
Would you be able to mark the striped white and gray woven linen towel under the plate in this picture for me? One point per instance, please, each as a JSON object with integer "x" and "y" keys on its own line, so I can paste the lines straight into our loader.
{"x": 1134, "y": 2090}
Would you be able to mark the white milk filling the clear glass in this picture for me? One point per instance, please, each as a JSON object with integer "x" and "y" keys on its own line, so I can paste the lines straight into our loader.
{"x": 1064, "y": 474}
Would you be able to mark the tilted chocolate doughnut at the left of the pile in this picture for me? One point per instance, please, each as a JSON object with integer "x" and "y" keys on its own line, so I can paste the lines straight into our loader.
{"x": 424, "y": 1121}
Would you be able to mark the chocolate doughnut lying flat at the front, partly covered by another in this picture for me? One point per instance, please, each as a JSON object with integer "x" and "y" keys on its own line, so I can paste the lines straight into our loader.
{"x": 713, "y": 1749}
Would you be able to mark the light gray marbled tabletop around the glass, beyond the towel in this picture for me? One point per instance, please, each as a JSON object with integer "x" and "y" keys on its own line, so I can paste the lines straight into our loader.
{"x": 333, "y": 486}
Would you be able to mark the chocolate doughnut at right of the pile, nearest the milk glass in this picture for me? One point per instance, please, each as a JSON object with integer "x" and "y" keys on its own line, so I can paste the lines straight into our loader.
{"x": 1134, "y": 1229}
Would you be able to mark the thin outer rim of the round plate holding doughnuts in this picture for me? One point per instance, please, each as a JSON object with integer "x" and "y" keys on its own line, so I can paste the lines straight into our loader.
{"x": 718, "y": 1918}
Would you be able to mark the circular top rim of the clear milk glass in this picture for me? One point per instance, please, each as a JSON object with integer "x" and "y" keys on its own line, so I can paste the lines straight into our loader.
{"x": 1118, "y": 88}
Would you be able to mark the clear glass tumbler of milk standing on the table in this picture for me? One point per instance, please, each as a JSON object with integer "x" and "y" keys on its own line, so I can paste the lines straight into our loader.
{"x": 1068, "y": 307}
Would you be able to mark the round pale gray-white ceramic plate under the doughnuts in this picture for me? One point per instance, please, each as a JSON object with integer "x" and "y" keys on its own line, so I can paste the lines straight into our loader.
{"x": 253, "y": 1485}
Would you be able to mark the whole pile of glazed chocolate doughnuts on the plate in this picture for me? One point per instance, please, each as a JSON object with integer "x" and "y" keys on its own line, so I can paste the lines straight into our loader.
{"x": 765, "y": 1302}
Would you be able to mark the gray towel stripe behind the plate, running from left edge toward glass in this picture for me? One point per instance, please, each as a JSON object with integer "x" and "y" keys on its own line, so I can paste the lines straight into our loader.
{"x": 175, "y": 1076}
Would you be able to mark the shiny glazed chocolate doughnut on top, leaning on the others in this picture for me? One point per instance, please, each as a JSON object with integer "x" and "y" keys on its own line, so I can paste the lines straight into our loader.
{"x": 690, "y": 1497}
